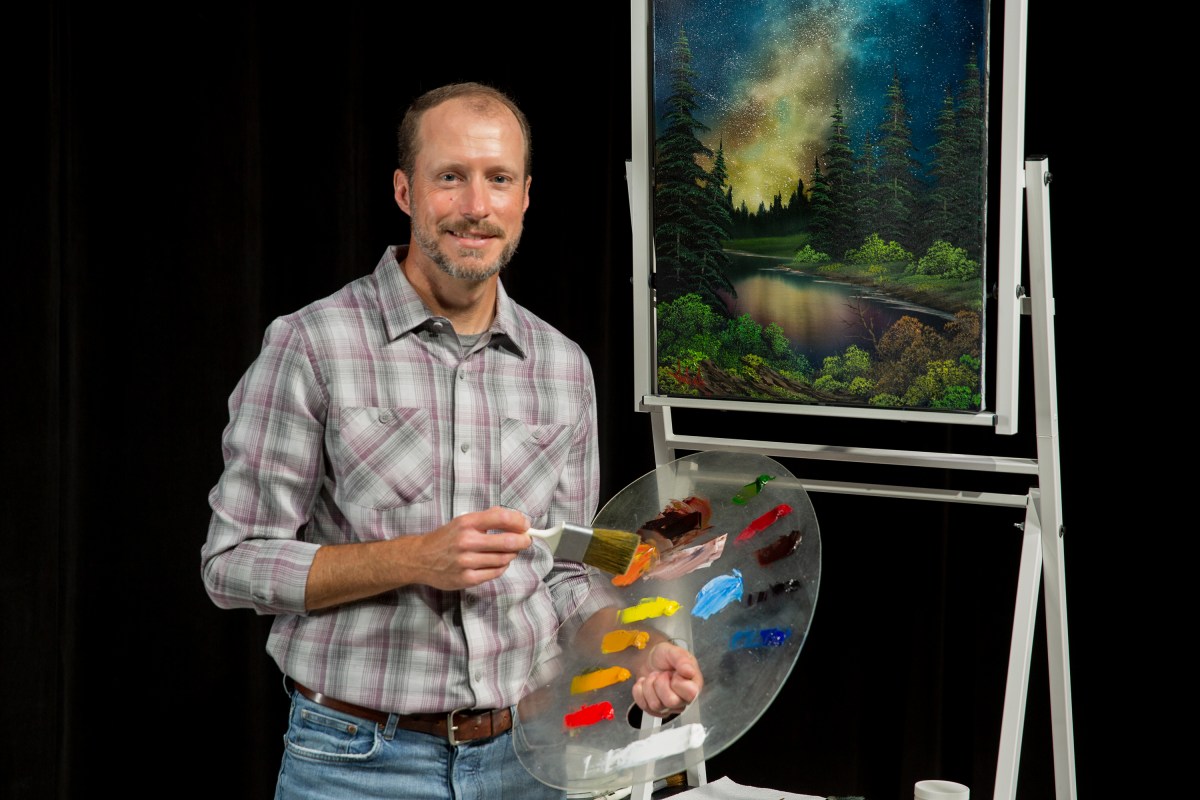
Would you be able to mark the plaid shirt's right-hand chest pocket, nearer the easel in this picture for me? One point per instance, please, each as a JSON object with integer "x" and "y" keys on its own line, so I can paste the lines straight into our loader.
{"x": 532, "y": 462}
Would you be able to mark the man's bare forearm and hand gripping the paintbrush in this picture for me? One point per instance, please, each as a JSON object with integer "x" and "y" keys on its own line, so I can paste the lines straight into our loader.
{"x": 459, "y": 555}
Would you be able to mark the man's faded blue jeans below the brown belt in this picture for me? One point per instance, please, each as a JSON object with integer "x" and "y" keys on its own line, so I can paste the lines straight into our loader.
{"x": 332, "y": 755}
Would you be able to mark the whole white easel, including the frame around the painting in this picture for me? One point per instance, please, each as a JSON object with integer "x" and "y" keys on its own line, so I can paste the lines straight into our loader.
{"x": 1042, "y": 549}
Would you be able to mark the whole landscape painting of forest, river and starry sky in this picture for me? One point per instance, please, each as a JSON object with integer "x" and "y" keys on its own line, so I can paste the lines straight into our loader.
{"x": 819, "y": 201}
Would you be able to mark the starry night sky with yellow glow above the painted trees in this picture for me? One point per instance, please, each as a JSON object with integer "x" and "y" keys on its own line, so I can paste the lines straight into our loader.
{"x": 770, "y": 73}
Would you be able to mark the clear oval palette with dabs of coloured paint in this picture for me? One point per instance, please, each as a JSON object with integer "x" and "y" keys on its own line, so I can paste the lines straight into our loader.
{"x": 729, "y": 568}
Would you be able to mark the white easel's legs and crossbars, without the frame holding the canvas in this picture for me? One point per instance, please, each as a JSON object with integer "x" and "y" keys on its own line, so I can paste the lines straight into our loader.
{"x": 1042, "y": 549}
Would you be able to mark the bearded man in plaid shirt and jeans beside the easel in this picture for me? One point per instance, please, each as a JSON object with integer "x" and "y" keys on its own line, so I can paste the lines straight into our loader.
{"x": 385, "y": 456}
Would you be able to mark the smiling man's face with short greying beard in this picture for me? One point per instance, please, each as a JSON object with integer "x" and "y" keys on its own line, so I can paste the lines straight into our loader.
{"x": 469, "y": 193}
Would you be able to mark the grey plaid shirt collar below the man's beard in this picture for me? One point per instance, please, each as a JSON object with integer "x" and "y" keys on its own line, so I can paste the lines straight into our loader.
{"x": 405, "y": 312}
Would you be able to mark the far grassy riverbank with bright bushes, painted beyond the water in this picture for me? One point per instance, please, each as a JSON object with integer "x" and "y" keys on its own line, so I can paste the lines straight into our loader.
{"x": 945, "y": 296}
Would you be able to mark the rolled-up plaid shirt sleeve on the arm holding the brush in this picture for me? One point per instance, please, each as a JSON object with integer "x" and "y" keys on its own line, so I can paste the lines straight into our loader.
{"x": 273, "y": 450}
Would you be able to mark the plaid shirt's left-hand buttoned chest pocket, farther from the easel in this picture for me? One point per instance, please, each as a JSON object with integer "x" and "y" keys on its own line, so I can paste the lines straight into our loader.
{"x": 383, "y": 458}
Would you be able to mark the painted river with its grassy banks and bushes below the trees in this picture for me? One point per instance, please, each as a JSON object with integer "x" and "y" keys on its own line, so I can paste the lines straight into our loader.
{"x": 863, "y": 332}
